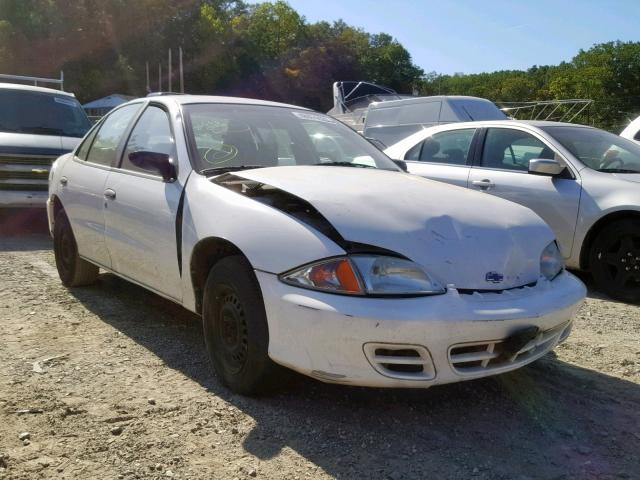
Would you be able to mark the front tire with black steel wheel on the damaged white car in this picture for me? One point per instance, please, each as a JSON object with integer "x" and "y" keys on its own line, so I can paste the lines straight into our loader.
{"x": 236, "y": 331}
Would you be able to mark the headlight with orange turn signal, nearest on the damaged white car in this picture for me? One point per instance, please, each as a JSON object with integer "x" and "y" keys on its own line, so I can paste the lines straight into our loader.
{"x": 365, "y": 275}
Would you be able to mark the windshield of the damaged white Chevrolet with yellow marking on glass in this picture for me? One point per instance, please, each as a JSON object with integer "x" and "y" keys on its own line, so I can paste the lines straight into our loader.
{"x": 231, "y": 137}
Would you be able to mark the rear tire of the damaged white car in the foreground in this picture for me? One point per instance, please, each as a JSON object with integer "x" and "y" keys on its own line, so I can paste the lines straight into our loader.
{"x": 73, "y": 270}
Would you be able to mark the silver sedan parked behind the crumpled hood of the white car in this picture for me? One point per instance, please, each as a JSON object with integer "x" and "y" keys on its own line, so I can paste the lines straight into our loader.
{"x": 582, "y": 181}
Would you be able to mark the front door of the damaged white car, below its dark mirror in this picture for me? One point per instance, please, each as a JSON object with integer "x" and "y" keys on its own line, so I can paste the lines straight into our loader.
{"x": 140, "y": 217}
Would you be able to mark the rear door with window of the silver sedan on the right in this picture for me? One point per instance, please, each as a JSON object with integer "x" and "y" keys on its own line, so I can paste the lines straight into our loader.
{"x": 444, "y": 156}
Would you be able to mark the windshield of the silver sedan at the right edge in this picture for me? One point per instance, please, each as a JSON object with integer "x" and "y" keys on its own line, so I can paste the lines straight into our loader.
{"x": 599, "y": 150}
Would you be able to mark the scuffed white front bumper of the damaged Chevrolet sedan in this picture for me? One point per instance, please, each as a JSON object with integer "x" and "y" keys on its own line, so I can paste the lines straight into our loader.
{"x": 414, "y": 342}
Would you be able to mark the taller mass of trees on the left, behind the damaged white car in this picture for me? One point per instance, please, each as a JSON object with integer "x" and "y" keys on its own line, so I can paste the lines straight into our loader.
{"x": 265, "y": 50}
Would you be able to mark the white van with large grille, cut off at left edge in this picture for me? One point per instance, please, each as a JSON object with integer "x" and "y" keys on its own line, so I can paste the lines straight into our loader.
{"x": 37, "y": 125}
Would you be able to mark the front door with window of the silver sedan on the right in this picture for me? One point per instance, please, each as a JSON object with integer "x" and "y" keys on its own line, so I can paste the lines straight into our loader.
{"x": 503, "y": 170}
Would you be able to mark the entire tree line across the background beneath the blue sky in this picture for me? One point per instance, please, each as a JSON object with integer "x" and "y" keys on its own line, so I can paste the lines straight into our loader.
{"x": 270, "y": 51}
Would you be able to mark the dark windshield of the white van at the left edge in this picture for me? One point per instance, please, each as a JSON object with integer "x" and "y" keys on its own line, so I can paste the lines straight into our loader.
{"x": 23, "y": 111}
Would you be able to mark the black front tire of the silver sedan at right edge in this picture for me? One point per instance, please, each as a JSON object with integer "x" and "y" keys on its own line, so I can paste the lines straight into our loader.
{"x": 615, "y": 260}
